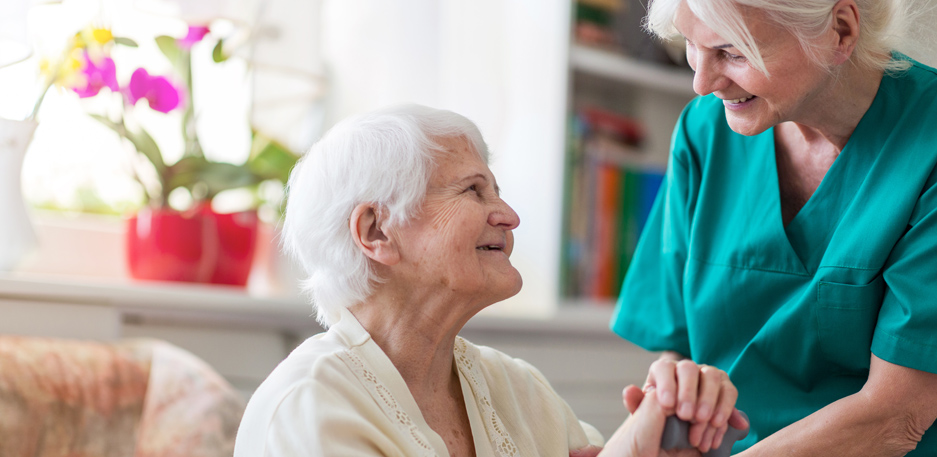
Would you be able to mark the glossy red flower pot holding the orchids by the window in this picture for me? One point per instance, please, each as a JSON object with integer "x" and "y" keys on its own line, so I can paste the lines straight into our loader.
{"x": 192, "y": 246}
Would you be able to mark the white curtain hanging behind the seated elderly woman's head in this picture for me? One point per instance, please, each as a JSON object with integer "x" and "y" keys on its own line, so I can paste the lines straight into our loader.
{"x": 501, "y": 63}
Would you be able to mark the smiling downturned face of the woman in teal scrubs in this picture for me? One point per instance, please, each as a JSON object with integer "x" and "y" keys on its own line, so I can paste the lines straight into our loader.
{"x": 753, "y": 102}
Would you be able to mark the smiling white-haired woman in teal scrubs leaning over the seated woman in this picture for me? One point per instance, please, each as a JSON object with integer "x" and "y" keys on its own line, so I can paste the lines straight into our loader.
{"x": 794, "y": 241}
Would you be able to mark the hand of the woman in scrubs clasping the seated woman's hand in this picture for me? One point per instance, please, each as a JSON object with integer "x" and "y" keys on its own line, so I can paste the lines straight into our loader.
{"x": 700, "y": 394}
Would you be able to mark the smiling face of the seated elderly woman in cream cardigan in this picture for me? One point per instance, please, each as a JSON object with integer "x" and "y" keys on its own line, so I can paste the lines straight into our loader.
{"x": 461, "y": 239}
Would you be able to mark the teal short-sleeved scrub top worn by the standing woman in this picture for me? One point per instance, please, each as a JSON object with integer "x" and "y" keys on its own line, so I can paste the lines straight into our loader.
{"x": 794, "y": 313}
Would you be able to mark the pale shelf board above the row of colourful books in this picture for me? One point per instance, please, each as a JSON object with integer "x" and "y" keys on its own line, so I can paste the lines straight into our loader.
{"x": 630, "y": 70}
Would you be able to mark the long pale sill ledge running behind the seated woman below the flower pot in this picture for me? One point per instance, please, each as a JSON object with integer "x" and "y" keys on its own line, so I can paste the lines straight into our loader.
{"x": 210, "y": 305}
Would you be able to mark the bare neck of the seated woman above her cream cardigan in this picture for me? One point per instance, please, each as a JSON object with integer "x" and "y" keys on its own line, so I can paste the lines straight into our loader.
{"x": 417, "y": 340}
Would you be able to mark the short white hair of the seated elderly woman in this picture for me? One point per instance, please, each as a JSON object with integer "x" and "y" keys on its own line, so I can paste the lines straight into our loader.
{"x": 385, "y": 157}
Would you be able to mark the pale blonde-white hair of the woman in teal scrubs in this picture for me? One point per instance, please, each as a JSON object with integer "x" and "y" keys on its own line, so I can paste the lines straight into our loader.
{"x": 882, "y": 26}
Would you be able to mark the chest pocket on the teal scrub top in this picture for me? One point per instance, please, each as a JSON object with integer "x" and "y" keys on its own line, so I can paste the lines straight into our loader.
{"x": 847, "y": 315}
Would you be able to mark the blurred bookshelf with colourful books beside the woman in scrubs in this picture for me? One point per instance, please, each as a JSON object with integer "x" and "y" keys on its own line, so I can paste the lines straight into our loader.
{"x": 623, "y": 101}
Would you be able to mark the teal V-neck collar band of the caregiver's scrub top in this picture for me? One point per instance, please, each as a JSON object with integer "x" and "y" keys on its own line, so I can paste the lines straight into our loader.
{"x": 810, "y": 231}
